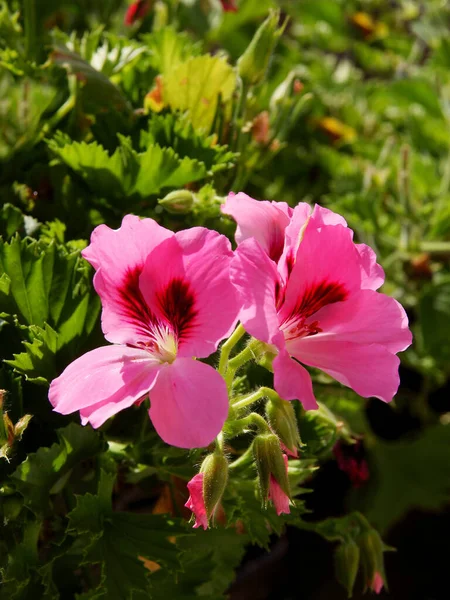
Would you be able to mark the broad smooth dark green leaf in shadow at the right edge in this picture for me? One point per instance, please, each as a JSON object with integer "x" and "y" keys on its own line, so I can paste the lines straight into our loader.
{"x": 410, "y": 474}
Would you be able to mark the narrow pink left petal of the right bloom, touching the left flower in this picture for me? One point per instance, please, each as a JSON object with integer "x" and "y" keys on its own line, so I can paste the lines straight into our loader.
{"x": 256, "y": 279}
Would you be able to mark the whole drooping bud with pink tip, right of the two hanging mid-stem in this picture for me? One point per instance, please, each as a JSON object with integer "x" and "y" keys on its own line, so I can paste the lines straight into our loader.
{"x": 271, "y": 464}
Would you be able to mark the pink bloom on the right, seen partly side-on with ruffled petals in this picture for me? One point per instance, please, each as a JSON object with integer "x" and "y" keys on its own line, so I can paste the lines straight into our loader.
{"x": 310, "y": 292}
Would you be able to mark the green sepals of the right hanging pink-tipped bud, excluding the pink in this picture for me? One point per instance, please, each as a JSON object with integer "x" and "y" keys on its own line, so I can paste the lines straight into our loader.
{"x": 270, "y": 463}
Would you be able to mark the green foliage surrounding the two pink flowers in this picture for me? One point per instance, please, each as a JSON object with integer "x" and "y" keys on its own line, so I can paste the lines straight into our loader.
{"x": 99, "y": 119}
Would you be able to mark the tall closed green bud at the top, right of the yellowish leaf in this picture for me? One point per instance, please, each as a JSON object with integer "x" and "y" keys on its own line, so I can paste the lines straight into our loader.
{"x": 252, "y": 65}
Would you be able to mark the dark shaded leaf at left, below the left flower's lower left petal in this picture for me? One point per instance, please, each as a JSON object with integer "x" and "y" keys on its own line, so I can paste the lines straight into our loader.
{"x": 39, "y": 475}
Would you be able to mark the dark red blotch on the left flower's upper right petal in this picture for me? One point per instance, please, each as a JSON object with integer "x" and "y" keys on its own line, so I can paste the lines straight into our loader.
{"x": 177, "y": 303}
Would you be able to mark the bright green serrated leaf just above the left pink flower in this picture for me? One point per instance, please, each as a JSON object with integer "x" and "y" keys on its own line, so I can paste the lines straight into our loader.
{"x": 127, "y": 174}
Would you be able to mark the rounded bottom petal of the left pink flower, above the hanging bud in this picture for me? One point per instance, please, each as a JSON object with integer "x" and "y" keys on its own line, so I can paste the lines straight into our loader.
{"x": 188, "y": 403}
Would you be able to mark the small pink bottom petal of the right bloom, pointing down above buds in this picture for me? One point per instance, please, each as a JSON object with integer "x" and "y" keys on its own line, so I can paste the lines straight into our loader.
{"x": 292, "y": 381}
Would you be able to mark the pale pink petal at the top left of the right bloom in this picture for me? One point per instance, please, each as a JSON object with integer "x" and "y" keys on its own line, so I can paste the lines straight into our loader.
{"x": 259, "y": 219}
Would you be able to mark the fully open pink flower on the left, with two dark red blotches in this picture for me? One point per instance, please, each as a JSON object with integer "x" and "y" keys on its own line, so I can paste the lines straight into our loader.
{"x": 166, "y": 298}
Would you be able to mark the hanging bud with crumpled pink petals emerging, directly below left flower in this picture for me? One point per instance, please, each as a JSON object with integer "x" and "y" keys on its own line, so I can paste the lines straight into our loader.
{"x": 206, "y": 488}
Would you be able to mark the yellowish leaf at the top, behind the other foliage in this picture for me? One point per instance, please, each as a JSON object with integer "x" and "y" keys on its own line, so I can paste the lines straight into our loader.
{"x": 196, "y": 86}
